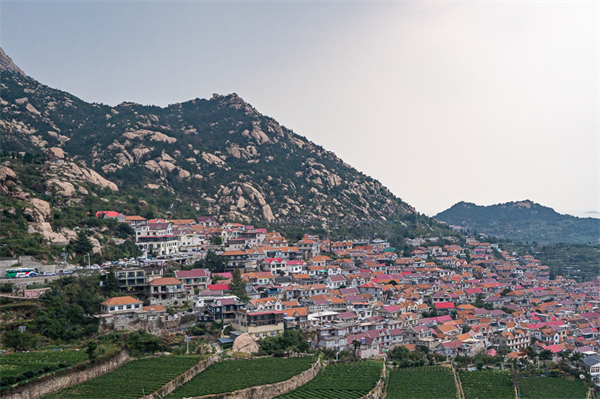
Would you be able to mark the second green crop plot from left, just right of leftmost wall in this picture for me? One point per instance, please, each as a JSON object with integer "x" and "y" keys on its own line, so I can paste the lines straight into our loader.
{"x": 132, "y": 380}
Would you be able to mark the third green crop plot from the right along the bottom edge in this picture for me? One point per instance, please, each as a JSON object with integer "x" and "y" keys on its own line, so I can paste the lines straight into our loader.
{"x": 421, "y": 382}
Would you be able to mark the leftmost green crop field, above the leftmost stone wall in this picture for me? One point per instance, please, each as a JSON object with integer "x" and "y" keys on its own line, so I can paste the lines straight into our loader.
{"x": 22, "y": 366}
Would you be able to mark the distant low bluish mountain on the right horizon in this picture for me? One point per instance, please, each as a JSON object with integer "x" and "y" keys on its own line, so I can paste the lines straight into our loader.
{"x": 523, "y": 221}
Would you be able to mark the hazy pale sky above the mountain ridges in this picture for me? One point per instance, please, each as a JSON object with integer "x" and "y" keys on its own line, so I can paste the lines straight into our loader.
{"x": 442, "y": 102}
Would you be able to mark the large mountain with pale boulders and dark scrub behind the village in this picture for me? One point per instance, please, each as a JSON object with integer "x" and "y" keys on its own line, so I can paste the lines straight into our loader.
{"x": 216, "y": 156}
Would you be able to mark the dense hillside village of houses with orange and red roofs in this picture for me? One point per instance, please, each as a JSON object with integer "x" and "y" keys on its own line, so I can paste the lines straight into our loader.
{"x": 452, "y": 299}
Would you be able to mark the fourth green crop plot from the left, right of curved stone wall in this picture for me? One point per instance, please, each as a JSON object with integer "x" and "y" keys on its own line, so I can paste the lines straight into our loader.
{"x": 340, "y": 381}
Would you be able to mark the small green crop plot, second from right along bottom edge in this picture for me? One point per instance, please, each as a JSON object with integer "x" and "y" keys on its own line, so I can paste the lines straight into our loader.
{"x": 487, "y": 384}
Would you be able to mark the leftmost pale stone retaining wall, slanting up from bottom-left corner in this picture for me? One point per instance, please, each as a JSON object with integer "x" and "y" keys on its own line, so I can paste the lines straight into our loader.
{"x": 52, "y": 383}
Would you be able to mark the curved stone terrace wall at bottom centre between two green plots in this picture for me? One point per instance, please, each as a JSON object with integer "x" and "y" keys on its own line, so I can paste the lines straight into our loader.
{"x": 270, "y": 390}
